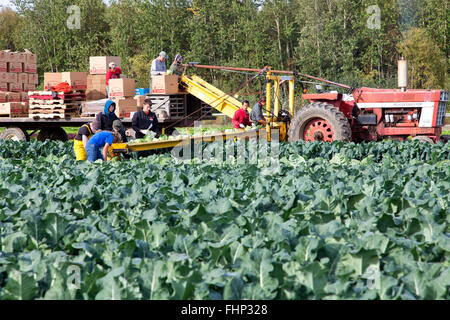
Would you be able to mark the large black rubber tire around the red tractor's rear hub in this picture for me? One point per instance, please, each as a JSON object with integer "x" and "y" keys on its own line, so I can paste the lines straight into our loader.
{"x": 341, "y": 129}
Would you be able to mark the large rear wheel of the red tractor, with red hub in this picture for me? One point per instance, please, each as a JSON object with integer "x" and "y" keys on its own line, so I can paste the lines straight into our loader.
{"x": 319, "y": 121}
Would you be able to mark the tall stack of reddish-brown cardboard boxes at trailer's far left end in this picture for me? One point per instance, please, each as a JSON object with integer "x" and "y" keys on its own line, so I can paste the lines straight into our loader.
{"x": 18, "y": 75}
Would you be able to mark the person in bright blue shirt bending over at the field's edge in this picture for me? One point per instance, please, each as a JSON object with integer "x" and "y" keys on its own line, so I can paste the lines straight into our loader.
{"x": 102, "y": 140}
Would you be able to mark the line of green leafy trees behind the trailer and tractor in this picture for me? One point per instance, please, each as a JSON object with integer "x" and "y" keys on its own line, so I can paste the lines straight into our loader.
{"x": 356, "y": 42}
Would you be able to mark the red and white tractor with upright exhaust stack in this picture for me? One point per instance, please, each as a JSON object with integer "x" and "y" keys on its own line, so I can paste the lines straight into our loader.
{"x": 369, "y": 114}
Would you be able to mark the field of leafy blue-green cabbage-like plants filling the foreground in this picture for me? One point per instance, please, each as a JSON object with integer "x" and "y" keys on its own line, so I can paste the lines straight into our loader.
{"x": 336, "y": 221}
